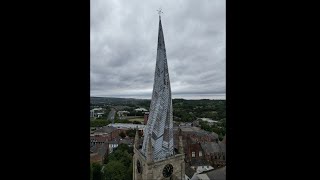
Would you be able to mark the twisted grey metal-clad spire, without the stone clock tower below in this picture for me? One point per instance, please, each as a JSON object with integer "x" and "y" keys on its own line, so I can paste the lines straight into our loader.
{"x": 160, "y": 127}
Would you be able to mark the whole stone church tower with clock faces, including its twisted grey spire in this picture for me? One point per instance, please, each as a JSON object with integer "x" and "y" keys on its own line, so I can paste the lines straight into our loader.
{"x": 157, "y": 158}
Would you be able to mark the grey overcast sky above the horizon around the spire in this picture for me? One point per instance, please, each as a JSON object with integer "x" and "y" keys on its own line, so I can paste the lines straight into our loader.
{"x": 123, "y": 47}
